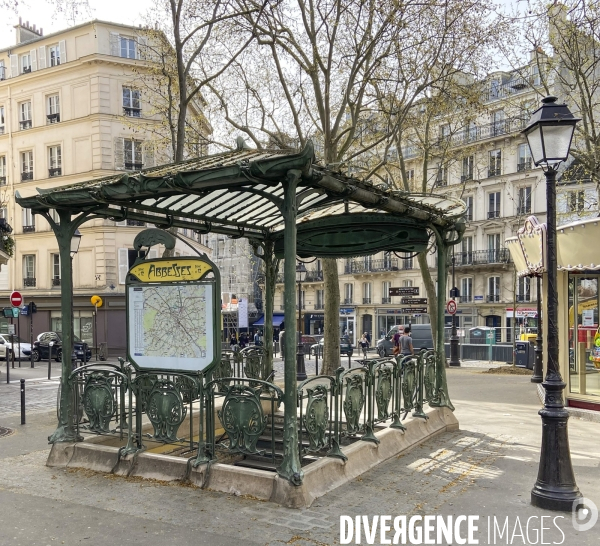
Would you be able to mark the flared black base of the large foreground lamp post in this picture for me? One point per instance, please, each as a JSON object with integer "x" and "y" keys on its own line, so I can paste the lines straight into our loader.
{"x": 555, "y": 487}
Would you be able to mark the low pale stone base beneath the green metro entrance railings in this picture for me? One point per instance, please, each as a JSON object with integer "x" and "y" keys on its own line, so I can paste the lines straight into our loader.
{"x": 319, "y": 477}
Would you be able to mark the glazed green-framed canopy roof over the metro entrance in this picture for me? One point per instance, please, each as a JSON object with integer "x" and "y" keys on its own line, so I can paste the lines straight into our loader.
{"x": 237, "y": 193}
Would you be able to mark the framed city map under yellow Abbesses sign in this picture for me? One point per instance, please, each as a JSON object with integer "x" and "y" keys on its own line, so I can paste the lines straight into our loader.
{"x": 172, "y": 314}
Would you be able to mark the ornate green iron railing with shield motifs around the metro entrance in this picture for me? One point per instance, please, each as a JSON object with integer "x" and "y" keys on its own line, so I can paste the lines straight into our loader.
{"x": 232, "y": 413}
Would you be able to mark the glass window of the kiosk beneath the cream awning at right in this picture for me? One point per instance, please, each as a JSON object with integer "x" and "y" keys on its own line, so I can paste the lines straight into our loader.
{"x": 584, "y": 363}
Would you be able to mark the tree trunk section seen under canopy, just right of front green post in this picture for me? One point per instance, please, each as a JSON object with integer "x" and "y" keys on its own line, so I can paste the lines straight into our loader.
{"x": 331, "y": 349}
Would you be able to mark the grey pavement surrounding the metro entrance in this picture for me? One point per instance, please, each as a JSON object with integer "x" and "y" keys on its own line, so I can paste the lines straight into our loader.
{"x": 486, "y": 469}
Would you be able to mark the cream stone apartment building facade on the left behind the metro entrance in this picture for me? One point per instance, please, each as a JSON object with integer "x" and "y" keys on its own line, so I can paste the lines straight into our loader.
{"x": 71, "y": 111}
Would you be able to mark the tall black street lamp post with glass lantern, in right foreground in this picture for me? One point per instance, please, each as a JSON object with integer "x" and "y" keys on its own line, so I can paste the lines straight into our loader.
{"x": 549, "y": 134}
